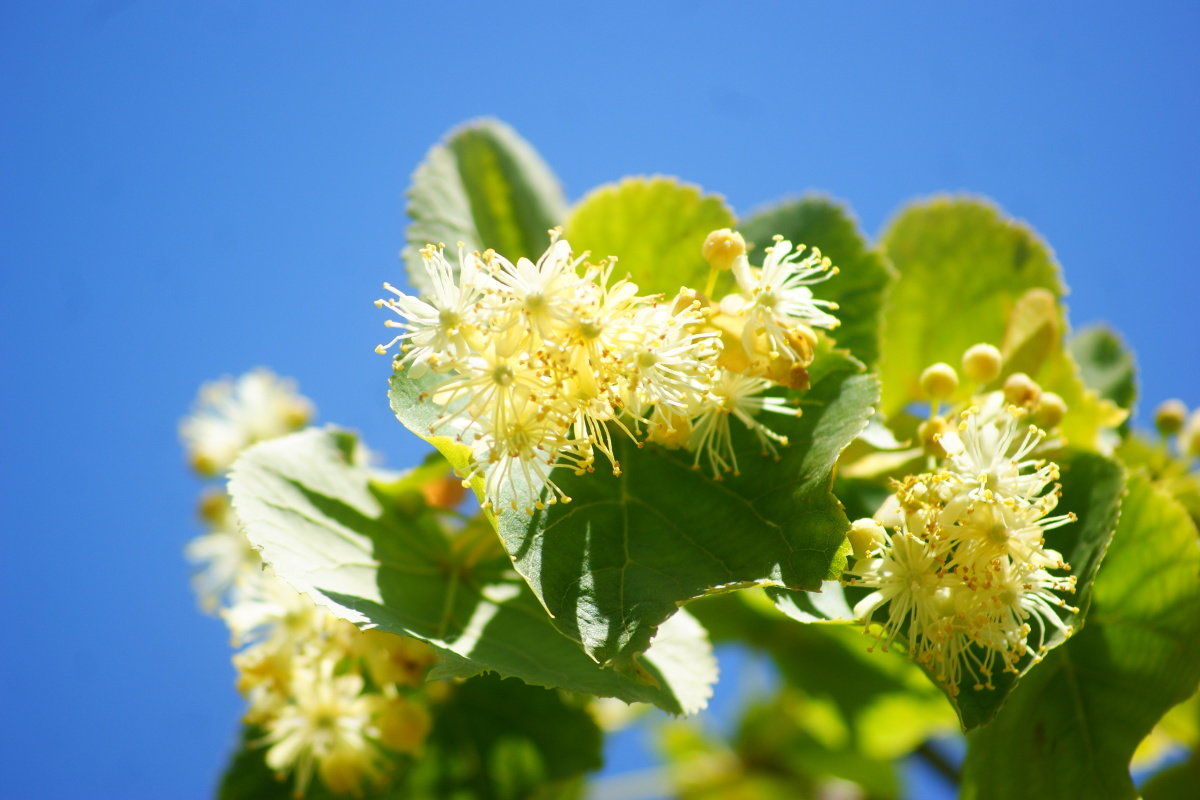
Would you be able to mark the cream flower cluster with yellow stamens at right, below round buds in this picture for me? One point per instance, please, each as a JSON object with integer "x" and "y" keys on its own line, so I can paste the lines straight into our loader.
{"x": 965, "y": 575}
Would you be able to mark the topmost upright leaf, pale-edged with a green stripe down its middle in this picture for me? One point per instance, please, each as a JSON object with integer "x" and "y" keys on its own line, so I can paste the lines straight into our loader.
{"x": 487, "y": 188}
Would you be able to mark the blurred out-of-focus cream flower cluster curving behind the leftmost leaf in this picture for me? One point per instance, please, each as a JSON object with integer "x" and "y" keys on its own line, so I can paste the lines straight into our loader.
{"x": 331, "y": 700}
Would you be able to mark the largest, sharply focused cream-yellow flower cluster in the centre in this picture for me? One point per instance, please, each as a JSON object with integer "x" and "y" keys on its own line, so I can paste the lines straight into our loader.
{"x": 539, "y": 365}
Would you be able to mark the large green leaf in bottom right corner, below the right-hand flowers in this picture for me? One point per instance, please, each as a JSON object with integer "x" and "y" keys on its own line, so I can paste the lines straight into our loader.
{"x": 1075, "y": 723}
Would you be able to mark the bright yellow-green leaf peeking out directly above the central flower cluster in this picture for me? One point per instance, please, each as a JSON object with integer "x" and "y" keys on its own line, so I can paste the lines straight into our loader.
{"x": 655, "y": 226}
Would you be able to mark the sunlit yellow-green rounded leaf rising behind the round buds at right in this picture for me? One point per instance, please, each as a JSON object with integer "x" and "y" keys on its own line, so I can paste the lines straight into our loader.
{"x": 963, "y": 267}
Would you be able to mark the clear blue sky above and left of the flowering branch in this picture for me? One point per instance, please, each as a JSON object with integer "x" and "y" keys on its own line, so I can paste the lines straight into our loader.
{"x": 199, "y": 188}
